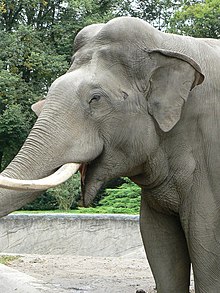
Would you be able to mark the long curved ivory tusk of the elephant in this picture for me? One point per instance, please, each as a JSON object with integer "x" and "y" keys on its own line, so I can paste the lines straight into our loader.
{"x": 58, "y": 177}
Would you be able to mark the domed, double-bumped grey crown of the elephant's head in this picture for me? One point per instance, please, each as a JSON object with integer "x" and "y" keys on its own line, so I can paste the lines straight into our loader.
{"x": 120, "y": 40}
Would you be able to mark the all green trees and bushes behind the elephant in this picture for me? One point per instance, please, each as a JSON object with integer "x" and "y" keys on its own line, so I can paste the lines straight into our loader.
{"x": 36, "y": 38}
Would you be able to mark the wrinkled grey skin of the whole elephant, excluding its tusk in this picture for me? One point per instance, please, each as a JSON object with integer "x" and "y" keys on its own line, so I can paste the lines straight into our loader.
{"x": 134, "y": 104}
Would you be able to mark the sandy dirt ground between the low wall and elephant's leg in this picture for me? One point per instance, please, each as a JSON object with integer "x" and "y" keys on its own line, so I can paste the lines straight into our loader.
{"x": 69, "y": 274}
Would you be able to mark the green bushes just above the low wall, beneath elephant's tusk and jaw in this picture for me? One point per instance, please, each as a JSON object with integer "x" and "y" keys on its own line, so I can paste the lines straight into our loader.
{"x": 122, "y": 199}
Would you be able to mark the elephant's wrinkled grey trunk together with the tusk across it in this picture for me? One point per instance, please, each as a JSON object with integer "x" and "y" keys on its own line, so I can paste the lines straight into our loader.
{"x": 36, "y": 159}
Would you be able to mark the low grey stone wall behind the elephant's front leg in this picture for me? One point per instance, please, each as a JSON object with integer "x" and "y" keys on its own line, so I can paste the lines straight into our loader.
{"x": 88, "y": 235}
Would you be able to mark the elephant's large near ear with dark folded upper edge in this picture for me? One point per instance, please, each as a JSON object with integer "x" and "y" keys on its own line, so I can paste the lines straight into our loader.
{"x": 171, "y": 82}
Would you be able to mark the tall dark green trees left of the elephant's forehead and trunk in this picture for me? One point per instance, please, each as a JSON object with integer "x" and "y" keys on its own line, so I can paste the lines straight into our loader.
{"x": 36, "y": 43}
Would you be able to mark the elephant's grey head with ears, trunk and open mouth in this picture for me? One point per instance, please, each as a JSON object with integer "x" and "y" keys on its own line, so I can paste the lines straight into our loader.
{"x": 105, "y": 114}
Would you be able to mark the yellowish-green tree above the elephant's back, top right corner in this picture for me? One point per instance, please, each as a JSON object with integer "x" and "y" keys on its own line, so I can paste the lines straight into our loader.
{"x": 198, "y": 19}
